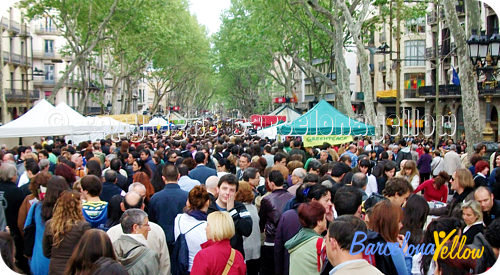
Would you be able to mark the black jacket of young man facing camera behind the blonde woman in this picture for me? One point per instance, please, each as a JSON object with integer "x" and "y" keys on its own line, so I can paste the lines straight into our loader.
{"x": 242, "y": 223}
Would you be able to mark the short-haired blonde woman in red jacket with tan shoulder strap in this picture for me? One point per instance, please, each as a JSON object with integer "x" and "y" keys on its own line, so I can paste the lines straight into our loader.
{"x": 217, "y": 256}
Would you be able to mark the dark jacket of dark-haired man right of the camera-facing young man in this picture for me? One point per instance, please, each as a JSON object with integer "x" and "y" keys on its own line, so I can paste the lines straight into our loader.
{"x": 271, "y": 208}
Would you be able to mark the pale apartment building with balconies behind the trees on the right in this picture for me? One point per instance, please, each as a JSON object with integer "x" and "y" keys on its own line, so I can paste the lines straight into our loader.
{"x": 418, "y": 73}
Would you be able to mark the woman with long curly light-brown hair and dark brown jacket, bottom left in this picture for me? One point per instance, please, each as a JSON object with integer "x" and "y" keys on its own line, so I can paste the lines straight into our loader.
{"x": 63, "y": 231}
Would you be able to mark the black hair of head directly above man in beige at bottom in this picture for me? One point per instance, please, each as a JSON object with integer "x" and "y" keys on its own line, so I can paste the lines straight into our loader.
{"x": 347, "y": 200}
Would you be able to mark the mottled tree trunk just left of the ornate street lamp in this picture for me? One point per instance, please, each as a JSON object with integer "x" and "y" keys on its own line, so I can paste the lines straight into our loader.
{"x": 468, "y": 79}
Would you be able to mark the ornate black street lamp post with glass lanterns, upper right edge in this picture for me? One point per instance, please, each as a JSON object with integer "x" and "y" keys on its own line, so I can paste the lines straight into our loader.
{"x": 484, "y": 54}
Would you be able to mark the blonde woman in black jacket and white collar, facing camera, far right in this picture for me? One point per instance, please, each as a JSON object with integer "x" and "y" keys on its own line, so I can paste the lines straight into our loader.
{"x": 473, "y": 218}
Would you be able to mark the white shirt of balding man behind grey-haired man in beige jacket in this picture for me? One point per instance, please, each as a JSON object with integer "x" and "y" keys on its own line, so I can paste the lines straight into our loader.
{"x": 156, "y": 241}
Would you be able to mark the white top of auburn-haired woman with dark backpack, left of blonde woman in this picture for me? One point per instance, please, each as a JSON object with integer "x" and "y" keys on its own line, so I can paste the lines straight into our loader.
{"x": 195, "y": 237}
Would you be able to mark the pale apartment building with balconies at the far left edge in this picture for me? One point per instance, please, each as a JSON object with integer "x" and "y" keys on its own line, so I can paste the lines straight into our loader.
{"x": 16, "y": 44}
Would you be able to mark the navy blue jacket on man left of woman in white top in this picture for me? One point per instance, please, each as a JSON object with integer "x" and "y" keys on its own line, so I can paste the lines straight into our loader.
{"x": 164, "y": 207}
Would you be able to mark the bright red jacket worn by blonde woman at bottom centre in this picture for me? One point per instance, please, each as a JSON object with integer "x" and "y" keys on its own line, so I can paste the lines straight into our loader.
{"x": 213, "y": 257}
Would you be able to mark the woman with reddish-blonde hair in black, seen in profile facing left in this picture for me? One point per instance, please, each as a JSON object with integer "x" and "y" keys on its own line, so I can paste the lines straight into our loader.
{"x": 463, "y": 184}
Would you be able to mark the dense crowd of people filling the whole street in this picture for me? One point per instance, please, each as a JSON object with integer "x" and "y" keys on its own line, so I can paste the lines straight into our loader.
{"x": 245, "y": 205}
